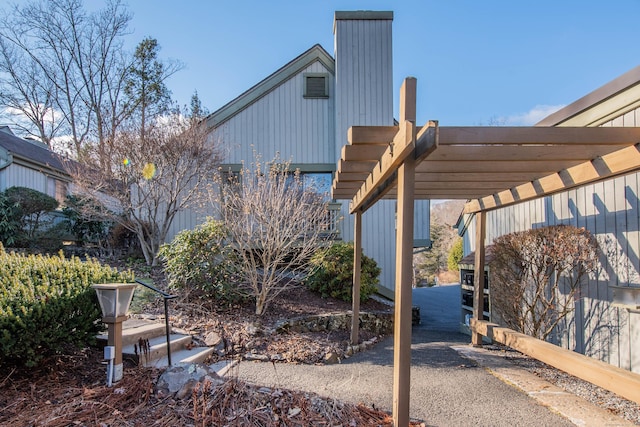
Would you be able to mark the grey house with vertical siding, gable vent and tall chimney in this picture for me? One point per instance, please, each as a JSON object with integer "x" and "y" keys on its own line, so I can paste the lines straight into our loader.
{"x": 302, "y": 112}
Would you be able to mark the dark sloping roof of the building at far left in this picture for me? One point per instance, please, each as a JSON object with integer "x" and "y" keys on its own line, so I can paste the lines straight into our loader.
{"x": 29, "y": 151}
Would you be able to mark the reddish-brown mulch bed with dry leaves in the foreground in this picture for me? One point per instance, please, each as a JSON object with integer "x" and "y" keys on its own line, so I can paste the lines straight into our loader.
{"x": 69, "y": 390}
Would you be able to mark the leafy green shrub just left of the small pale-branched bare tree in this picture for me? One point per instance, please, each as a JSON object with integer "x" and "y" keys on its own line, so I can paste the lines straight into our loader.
{"x": 197, "y": 261}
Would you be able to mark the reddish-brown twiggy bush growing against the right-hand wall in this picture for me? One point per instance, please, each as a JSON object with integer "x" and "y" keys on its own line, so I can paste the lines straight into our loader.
{"x": 536, "y": 275}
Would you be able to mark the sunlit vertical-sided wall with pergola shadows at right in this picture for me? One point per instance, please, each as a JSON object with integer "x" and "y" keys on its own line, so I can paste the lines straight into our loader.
{"x": 611, "y": 211}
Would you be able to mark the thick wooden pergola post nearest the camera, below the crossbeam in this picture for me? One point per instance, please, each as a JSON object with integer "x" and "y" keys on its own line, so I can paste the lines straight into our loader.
{"x": 404, "y": 272}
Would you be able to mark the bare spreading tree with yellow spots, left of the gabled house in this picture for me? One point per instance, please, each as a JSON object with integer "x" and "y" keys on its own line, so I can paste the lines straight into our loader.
{"x": 146, "y": 182}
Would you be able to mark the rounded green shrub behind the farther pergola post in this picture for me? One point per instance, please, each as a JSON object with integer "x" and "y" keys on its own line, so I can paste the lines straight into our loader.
{"x": 333, "y": 273}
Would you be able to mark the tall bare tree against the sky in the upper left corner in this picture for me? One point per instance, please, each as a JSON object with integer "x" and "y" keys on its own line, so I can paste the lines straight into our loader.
{"x": 64, "y": 69}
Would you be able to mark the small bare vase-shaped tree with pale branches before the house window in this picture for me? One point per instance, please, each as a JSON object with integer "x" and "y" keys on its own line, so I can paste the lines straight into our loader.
{"x": 275, "y": 224}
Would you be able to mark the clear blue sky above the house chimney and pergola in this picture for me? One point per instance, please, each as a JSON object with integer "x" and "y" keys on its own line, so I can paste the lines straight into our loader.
{"x": 476, "y": 62}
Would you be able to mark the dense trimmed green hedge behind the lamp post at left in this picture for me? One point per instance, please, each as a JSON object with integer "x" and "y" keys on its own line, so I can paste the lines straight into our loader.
{"x": 47, "y": 303}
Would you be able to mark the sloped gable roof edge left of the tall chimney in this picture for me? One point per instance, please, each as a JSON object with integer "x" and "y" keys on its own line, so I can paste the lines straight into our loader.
{"x": 289, "y": 70}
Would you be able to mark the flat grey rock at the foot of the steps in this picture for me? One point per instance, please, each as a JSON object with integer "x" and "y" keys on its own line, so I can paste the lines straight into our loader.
{"x": 181, "y": 378}
